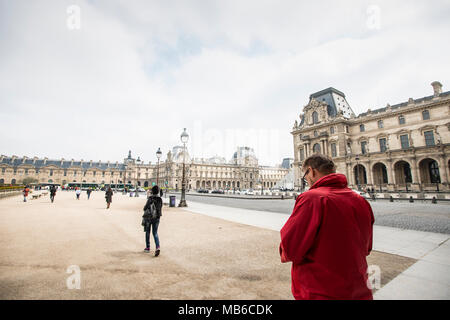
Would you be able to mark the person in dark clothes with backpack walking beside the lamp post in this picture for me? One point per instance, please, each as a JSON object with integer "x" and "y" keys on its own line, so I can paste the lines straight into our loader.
{"x": 151, "y": 218}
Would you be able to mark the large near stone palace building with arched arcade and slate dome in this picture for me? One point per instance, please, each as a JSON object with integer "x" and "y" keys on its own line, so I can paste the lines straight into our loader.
{"x": 403, "y": 147}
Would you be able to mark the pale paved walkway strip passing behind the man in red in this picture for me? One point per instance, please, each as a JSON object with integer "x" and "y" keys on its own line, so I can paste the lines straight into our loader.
{"x": 428, "y": 278}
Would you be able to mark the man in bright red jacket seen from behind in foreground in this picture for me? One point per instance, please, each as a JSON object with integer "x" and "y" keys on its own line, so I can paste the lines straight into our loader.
{"x": 328, "y": 236}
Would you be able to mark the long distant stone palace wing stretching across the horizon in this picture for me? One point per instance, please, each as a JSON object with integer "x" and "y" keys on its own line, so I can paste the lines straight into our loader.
{"x": 241, "y": 172}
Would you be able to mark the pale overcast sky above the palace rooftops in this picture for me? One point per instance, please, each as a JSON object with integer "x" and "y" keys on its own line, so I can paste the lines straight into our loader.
{"x": 130, "y": 75}
